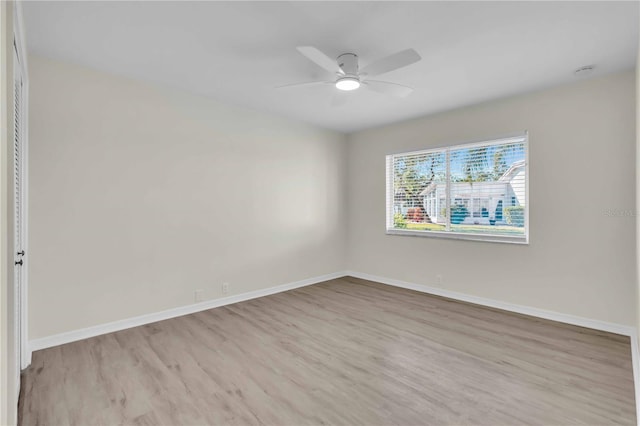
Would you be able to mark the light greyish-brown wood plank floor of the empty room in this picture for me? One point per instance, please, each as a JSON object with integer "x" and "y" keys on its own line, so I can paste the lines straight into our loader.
{"x": 344, "y": 352}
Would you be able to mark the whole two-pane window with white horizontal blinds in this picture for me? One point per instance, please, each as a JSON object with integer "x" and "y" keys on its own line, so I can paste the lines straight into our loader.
{"x": 474, "y": 191}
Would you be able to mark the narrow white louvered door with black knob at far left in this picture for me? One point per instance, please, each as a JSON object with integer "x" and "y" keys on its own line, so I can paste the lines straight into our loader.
{"x": 19, "y": 212}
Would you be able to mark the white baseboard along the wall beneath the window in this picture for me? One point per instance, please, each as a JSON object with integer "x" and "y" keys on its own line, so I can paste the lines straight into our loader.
{"x": 506, "y": 306}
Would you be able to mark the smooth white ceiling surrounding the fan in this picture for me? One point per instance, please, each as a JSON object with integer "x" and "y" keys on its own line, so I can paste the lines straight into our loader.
{"x": 238, "y": 52}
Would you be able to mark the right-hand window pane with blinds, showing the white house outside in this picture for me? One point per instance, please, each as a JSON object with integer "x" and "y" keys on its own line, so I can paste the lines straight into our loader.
{"x": 488, "y": 189}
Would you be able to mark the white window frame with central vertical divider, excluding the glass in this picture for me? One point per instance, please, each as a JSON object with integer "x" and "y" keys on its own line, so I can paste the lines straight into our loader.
{"x": 448, "y": 234}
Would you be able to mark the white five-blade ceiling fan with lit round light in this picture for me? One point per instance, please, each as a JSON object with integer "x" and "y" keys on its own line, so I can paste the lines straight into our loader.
{"x": 348, "y": 75}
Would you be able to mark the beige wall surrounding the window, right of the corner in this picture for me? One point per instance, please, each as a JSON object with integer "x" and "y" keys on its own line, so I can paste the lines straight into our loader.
{"x": 580, "y": 261}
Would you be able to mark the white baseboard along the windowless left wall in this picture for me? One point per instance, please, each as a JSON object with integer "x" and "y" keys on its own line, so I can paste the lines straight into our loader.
{"x": 85, "y": 333}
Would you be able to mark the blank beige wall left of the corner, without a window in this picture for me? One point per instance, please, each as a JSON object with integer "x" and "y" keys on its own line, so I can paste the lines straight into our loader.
{"x": 140, "y": 195}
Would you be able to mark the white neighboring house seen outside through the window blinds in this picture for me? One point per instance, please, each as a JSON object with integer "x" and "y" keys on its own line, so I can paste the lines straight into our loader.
{"x": 482, "y": 199}
